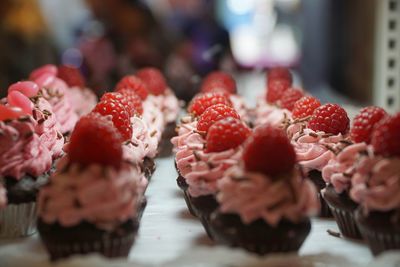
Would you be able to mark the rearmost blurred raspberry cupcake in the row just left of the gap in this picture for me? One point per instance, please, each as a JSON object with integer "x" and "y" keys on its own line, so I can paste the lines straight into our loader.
{"x": 165, "y": 100}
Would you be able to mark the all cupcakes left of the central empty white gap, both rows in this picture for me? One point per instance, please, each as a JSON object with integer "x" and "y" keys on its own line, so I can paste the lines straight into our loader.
{"x": 118, "y": 141}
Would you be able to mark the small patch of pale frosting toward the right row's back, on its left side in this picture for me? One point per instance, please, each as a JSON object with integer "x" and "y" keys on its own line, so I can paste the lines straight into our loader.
{"x": 269, "y": 114}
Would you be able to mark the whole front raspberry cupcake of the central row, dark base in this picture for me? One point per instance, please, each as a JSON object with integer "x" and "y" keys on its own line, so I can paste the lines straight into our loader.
{"x": 264, "y": 206}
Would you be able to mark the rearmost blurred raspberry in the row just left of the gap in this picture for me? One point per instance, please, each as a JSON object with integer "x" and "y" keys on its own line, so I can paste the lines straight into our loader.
{"x": 153, "y": 79}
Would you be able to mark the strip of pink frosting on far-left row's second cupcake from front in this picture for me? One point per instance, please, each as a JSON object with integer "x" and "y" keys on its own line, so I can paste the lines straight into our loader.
{"x": 48, "y": 127}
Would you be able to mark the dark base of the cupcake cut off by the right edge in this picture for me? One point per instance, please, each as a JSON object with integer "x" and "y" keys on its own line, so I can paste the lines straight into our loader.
{"x": 381, "y": 230}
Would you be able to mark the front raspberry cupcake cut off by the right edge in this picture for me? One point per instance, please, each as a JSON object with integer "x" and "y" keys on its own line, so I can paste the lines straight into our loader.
{"x": 376, "y": 187}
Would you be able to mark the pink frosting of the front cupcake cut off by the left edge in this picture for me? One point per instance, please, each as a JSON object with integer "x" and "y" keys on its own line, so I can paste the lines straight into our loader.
{"x": 21, "y": 150}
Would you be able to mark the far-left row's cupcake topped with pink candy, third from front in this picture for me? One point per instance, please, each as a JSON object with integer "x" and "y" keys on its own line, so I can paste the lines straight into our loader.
{"x": 55, "y": 91}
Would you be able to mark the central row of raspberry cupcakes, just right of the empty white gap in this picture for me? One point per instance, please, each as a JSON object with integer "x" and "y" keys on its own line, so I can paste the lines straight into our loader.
{"x": 242, "y": 184}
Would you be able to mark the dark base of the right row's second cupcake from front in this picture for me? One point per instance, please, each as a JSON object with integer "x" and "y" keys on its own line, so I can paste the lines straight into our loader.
{"x": 342, "y": 208}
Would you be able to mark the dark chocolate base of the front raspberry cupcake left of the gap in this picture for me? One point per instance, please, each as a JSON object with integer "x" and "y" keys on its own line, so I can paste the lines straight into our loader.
{"x": 84, "y": 238}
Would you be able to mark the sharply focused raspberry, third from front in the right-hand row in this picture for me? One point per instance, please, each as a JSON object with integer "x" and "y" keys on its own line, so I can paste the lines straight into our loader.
{"x": 330, "y": 118}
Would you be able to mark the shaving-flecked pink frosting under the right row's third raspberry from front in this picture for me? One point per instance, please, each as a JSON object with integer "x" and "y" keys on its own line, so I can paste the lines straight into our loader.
{"x": 313, "y": 149}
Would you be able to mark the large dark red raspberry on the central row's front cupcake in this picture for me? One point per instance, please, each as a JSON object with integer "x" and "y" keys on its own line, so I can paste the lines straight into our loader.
{"x": 268, "y": 150}
